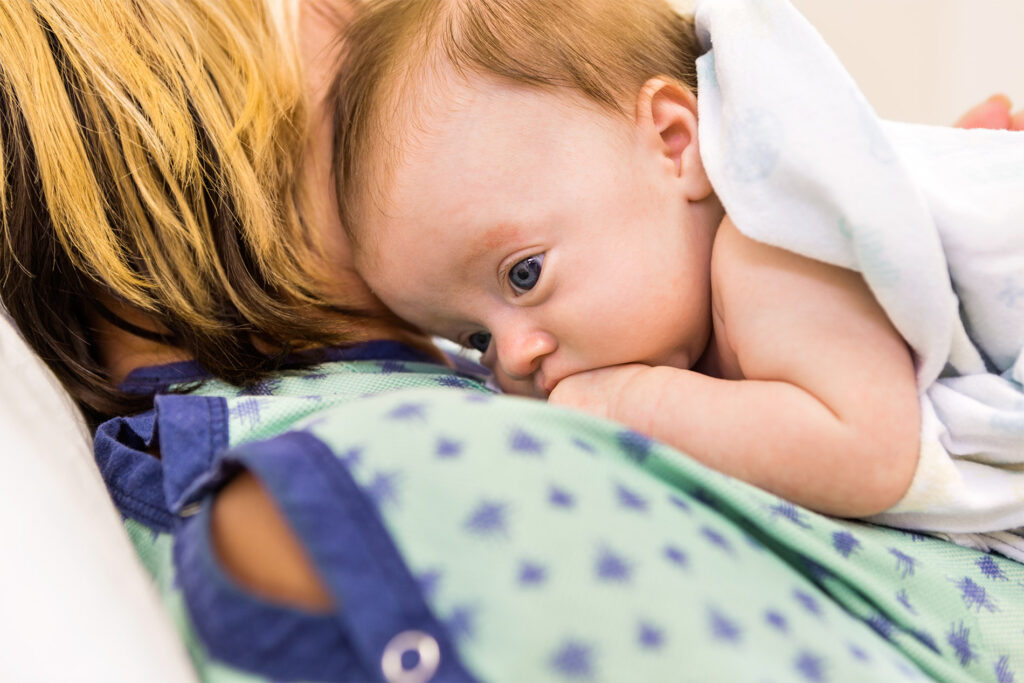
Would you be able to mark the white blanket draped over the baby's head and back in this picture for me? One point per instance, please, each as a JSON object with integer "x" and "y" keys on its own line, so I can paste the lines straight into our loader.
{"x": 933, "y": 219}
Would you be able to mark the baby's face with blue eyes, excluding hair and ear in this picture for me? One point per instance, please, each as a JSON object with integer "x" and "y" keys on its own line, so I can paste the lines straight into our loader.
{"x": 544, "y": 232}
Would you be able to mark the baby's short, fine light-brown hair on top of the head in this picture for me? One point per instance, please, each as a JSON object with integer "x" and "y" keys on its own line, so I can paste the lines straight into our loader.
{"x": 603, "y": 50}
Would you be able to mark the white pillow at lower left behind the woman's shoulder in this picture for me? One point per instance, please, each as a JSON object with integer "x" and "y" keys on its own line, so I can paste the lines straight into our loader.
{"x": 77, "y": 605}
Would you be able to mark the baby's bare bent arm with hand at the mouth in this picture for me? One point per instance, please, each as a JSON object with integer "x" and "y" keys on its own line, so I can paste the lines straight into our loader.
{"x": 828, "y": 415}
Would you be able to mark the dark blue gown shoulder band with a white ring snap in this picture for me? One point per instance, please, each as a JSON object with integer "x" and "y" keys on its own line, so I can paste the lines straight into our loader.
{"x": 381, "y": 605}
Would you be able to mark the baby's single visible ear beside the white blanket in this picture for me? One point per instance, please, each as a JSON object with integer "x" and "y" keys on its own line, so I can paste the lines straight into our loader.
{"x": 667, "y": 115}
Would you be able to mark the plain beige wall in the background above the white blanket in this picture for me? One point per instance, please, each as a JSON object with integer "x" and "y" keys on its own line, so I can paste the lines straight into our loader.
{"x": 925, "y": 61}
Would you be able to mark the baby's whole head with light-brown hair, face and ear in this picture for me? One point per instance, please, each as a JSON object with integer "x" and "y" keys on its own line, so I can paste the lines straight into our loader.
{"x": 524, "y": 178}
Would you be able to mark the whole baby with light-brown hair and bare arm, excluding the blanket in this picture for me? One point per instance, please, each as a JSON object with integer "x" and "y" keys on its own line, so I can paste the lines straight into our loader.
{"x": 525, "y": 178}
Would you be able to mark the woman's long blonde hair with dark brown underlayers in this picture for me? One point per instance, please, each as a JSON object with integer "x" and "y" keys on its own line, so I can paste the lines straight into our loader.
{"x": 151, "y": 153}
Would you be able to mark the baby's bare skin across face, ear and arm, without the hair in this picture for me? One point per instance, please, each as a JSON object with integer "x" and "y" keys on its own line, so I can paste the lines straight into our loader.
{"x": 651, "y": 309}
